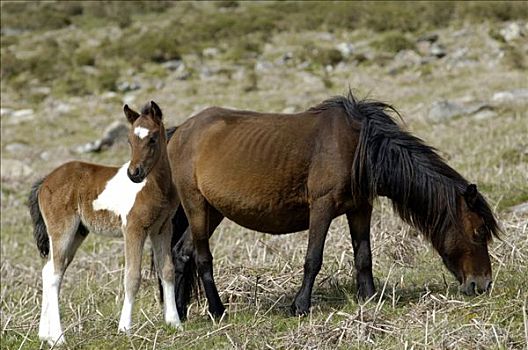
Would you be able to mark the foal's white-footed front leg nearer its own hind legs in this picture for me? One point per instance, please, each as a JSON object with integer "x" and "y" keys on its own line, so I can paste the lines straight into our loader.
{"x": 134, "y": 241}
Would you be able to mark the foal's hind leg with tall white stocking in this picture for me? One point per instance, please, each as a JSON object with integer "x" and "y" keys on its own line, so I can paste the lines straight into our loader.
{"x": 64, "y": 241}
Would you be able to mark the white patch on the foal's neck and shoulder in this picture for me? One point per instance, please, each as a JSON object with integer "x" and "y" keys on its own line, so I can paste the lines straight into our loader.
{"x": 119, "y": 194}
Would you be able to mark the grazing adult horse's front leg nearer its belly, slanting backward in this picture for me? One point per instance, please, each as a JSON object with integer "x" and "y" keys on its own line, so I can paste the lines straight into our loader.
{"x": 320, "y": 219}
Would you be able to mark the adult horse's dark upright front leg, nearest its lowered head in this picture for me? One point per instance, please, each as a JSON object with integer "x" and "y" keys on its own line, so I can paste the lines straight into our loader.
{"x": 359, "y": 224}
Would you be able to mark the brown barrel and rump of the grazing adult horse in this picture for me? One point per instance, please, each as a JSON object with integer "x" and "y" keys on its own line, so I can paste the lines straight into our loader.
{"x": 260, "y": 169}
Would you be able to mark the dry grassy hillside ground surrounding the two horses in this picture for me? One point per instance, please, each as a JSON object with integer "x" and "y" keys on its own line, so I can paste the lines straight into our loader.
{"x": 86, "y": 49}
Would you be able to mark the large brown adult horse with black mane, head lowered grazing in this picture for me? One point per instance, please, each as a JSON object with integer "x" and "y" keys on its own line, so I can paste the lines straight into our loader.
{"x": 282, "y": 173}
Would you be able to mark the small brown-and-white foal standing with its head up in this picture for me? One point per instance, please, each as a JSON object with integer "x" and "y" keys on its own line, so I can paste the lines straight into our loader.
{"x": 136, "y": 200}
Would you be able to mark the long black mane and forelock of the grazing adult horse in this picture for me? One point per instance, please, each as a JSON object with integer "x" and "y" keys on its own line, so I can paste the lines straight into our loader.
{"x": 392, "y": 162}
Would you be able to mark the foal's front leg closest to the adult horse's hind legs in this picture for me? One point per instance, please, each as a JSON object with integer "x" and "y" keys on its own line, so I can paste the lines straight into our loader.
{"x": 161, "y": 244}
